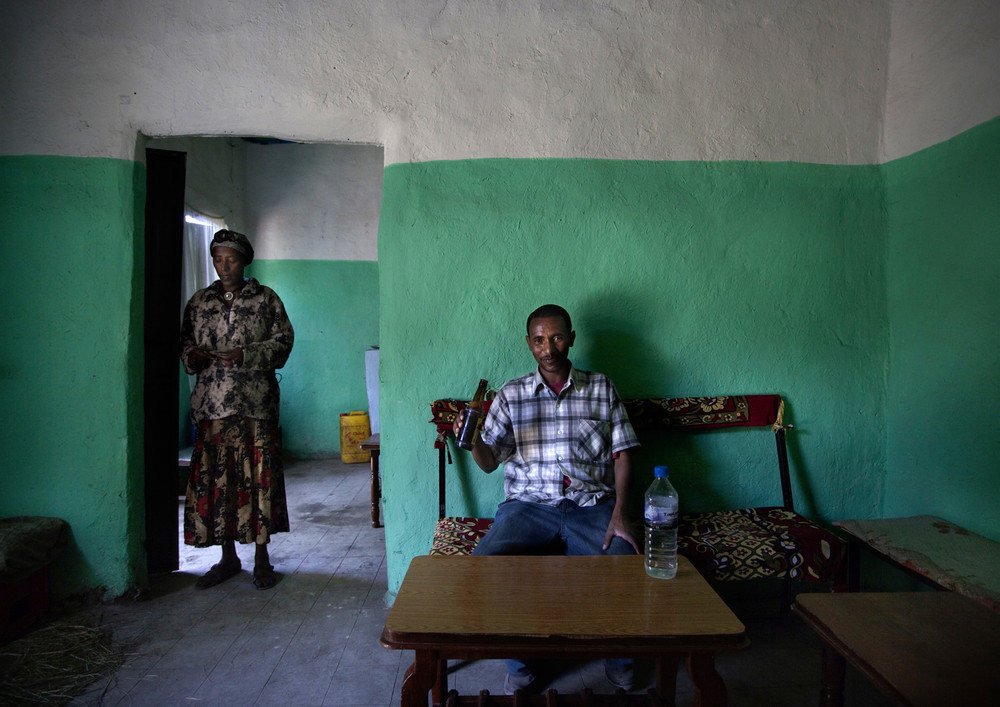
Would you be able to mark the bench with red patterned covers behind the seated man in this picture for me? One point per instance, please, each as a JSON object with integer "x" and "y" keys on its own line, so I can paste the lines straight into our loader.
{"x": 772, "y": 542}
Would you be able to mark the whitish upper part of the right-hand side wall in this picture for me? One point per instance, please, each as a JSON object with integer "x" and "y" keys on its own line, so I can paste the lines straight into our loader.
{"x": 944, "y": 71}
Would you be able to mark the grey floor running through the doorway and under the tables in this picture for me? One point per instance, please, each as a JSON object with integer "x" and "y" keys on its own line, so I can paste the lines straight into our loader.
{"x": 313, "y": 639}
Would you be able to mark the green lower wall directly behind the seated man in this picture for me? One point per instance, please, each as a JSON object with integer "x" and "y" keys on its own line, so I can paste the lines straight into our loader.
{"x": 683, "y": 279}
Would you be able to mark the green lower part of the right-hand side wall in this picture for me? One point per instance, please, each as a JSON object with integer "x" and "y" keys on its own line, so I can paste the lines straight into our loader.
{"x": 944, "y": 255}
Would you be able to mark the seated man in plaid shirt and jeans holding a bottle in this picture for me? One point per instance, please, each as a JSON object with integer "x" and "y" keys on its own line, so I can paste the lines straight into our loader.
{"x": 563, "y": 437}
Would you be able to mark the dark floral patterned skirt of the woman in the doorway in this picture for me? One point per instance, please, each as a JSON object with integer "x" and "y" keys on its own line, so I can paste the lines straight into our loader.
{"x": 236, "y": 486}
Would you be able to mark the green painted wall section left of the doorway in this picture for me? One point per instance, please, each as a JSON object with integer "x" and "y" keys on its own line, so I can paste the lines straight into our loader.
{"x": 71, "y": 359}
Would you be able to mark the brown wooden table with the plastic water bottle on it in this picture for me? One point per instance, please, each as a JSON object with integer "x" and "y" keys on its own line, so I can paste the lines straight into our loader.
{"x": 471, "y": 607}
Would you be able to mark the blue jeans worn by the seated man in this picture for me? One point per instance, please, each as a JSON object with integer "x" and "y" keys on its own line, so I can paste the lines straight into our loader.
{"x": 523, "y": 528}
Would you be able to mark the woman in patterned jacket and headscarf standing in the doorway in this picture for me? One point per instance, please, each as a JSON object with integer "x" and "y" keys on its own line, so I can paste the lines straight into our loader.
{"x": 235, "y": 334}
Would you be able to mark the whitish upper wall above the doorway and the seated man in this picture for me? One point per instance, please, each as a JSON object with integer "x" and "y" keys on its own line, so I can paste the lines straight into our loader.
{"x": 672, "y": 79}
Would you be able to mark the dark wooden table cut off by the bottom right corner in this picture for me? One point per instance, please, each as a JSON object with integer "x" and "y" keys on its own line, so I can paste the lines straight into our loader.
{"x": 918, "y": 648}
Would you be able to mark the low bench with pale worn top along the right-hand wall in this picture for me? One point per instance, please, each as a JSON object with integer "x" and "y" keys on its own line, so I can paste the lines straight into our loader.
{"x": 940, "y": 553}
